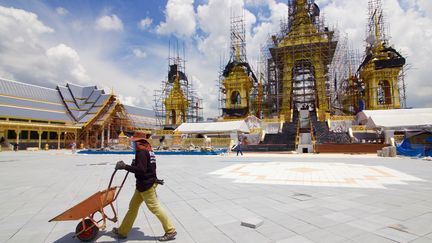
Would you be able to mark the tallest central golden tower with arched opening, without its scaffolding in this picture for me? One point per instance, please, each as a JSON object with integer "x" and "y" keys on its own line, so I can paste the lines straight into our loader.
{"x": 302, "y": 57}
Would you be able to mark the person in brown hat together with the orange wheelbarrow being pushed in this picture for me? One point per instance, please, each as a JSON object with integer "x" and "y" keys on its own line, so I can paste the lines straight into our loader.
{"x": 144, "y": 168}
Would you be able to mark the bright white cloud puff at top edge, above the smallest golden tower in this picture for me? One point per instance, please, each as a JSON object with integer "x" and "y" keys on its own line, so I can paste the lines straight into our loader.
{"x": 179, "y": 19}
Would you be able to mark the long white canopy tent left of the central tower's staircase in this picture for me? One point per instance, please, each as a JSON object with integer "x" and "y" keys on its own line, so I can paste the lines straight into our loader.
{"x": 213, "y": 127}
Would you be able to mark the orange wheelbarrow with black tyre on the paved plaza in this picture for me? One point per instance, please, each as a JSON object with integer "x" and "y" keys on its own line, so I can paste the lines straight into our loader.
{"x": 88, "y": 228}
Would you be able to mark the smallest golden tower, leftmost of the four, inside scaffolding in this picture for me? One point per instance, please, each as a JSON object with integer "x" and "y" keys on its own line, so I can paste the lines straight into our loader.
{"x": 176, "y": 104}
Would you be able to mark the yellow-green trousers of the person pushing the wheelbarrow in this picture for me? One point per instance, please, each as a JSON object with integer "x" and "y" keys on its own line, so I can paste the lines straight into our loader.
{"x": 150, "y": 198}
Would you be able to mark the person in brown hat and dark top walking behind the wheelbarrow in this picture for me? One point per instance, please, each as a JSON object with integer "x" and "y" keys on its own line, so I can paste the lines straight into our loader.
{"x": 144, "y": 168}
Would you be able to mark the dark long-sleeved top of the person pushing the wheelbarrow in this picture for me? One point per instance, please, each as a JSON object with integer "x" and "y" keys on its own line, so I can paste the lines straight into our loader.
{"x": 144, "y": 169}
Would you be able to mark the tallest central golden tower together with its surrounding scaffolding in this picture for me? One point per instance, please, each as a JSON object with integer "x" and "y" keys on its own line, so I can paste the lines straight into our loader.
{"x": 301, "y": 60}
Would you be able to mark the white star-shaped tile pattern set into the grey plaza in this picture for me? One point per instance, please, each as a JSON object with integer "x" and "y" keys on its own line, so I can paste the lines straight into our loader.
{"x": 315, "y": 174}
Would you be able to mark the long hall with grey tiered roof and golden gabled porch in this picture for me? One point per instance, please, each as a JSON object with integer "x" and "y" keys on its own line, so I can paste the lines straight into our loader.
{"x": 44, "y": 118}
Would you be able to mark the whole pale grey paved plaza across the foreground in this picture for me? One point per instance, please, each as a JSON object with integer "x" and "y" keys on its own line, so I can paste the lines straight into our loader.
{"x": 299, "y": 198}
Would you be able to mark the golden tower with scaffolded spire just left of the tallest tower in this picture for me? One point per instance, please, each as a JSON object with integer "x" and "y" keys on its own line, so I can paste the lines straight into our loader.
{"x": 238, "y": 78}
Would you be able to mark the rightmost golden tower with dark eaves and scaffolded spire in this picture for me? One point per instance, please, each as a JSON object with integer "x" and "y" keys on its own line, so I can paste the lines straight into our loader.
{"x": 382, "y": 66}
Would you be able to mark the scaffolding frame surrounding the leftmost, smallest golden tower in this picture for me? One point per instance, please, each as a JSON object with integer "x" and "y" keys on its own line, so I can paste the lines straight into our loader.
{"x": 177, "y": 66}
